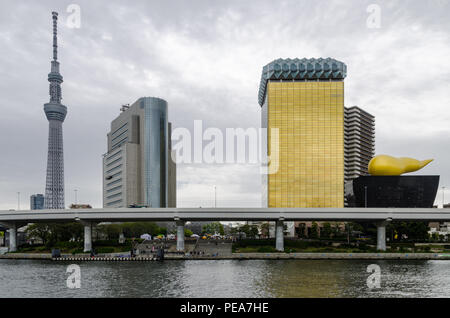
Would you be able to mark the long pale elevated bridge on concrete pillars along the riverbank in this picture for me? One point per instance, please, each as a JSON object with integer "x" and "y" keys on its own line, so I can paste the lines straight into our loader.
{"x": 381, "y": 216}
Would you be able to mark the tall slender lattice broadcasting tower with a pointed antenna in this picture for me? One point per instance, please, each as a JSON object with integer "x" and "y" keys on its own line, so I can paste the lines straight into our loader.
{"x": 56, "y": 113}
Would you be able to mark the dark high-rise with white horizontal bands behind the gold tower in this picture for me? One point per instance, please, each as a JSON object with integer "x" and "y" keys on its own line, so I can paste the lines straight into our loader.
{"x": 359, "y": 141}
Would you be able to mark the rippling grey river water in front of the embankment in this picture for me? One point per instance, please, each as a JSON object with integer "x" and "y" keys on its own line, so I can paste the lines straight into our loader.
{"x": 226, "y": 278}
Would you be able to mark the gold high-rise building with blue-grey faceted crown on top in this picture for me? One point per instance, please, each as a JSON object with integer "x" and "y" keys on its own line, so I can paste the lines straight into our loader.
{"x": 303, "y": 99}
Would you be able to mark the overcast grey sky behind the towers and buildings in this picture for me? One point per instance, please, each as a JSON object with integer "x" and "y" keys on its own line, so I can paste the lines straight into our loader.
{"x": 205, "y": 58}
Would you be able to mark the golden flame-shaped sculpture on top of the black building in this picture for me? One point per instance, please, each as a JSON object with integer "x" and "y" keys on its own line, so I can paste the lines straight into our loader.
{"x": 384, "y": 165}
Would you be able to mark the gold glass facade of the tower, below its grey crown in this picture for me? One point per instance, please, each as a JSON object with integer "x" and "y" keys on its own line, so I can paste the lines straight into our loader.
{"x": 310, "y": 119}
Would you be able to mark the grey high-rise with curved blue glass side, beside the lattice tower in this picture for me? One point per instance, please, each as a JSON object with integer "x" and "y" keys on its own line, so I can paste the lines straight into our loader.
{"x": 136, "y": 166}
